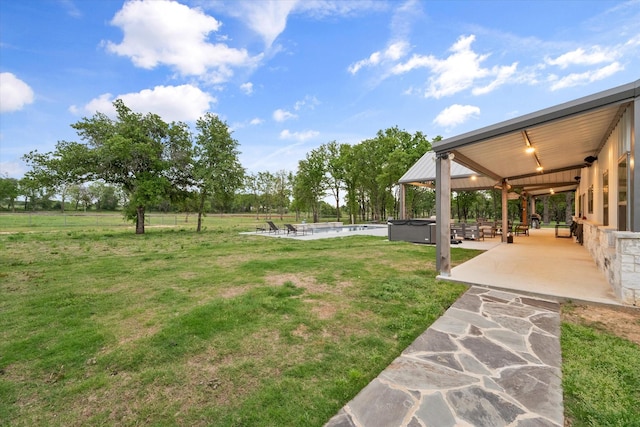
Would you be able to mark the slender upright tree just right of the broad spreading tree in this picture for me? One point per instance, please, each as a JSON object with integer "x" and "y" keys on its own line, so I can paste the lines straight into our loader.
{"x": 216, "y": 169}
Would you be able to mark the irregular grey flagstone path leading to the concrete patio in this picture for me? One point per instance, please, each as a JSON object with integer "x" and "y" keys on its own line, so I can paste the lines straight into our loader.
{"x": 493, "y": 359}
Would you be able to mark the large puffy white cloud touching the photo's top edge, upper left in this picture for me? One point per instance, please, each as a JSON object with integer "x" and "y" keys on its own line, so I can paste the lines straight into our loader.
{"x": 169, "y": 33}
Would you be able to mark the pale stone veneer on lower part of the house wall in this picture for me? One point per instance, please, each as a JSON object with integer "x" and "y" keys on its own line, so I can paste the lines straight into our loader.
{"x": 617, "y": 255}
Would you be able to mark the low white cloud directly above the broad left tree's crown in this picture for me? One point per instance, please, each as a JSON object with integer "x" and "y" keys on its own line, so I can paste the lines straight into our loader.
{"x": 172, "y": 103}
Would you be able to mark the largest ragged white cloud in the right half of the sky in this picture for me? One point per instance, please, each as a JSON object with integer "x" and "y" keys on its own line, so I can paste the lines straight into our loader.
{"x": 459, "y": 71}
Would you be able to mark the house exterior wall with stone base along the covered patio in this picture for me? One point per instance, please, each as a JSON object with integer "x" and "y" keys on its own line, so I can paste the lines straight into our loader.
{"x": 616, "y": 253}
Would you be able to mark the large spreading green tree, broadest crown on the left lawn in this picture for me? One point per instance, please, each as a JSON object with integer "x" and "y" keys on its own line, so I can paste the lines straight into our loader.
{"x": 142, "y": 154}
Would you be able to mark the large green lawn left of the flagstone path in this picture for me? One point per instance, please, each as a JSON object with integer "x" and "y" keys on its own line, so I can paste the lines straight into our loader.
{"x": 178, "y": 328}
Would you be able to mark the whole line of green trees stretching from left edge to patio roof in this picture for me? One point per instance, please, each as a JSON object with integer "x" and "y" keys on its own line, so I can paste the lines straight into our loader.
{"x": 139, "y": 162}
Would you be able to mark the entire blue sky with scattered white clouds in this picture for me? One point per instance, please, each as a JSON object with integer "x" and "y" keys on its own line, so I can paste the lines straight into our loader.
{"x": 288, "y": 76}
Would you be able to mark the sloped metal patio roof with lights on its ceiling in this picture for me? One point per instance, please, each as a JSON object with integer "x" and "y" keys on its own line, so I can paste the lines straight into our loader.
{"x": 562, "y": 136}
